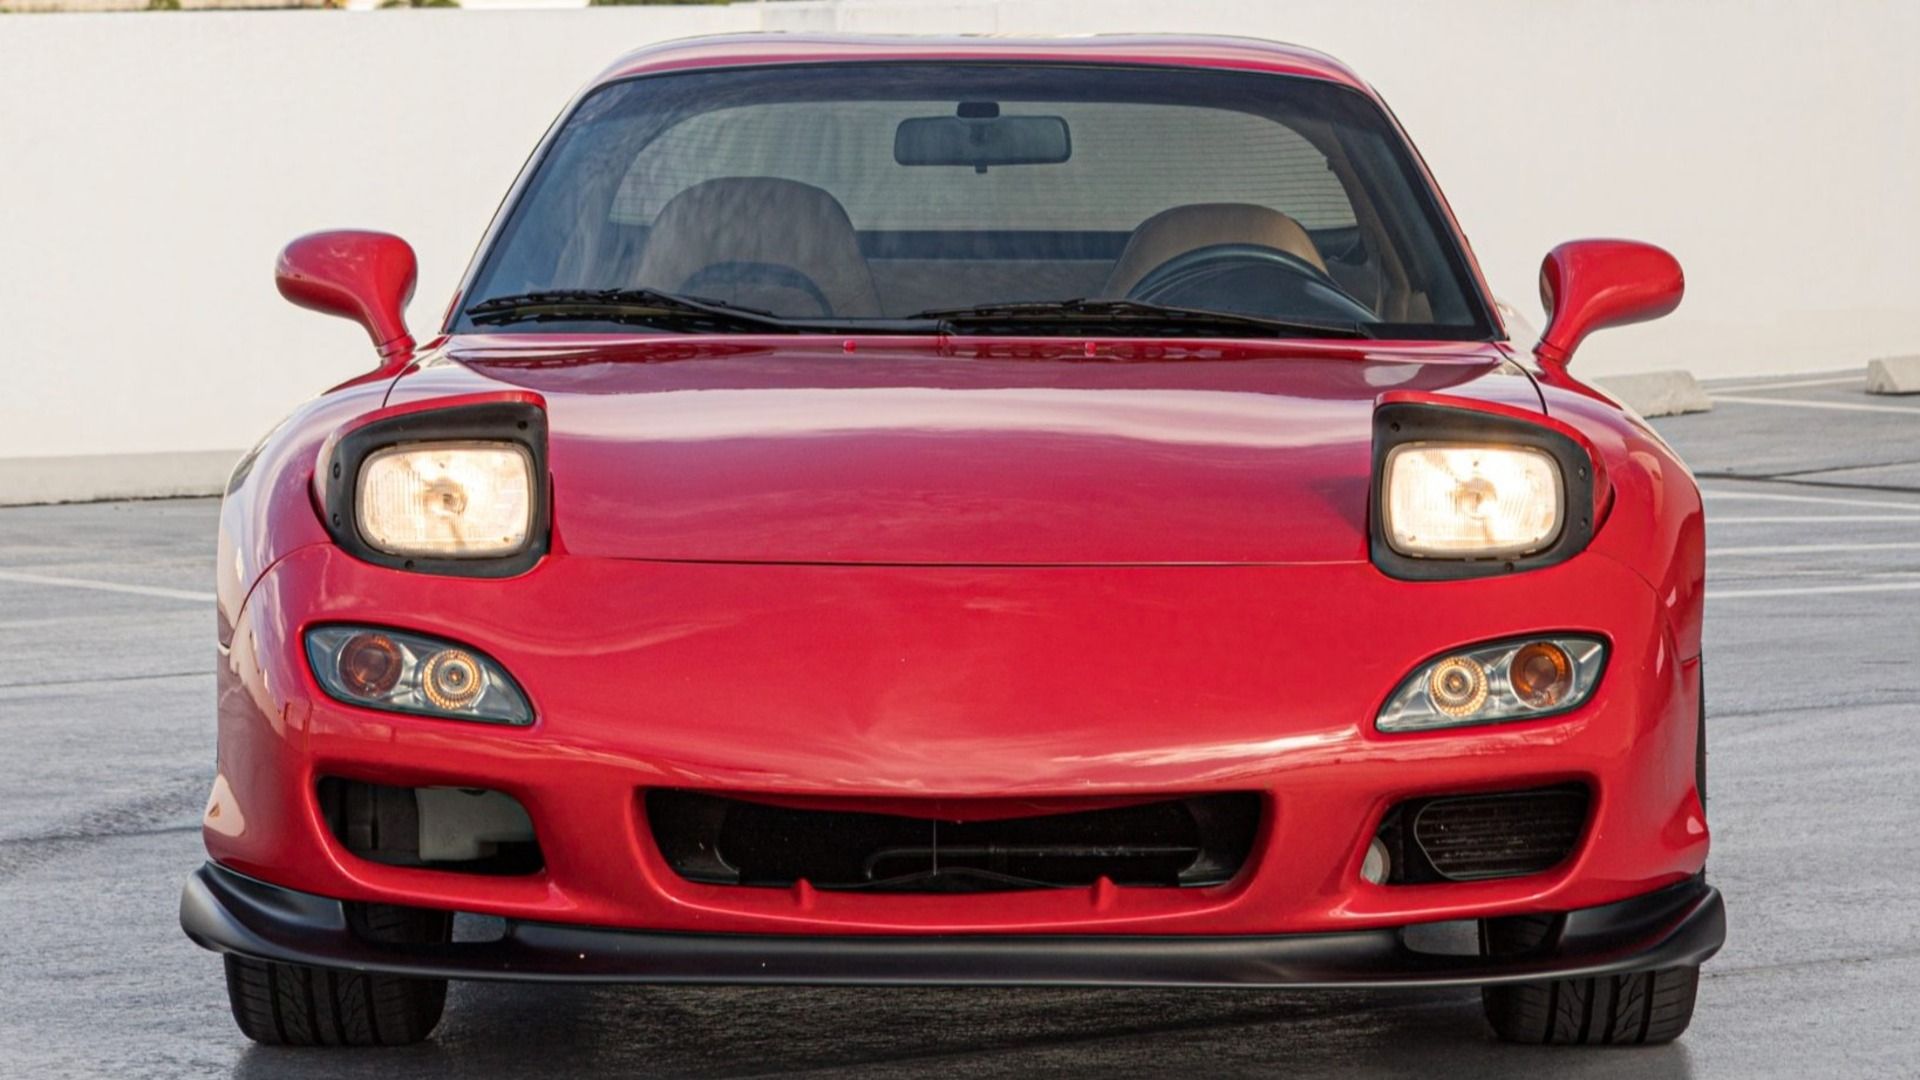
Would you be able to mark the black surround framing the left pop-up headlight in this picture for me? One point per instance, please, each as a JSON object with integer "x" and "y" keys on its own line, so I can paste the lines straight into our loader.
{"x": 491, "y": 422}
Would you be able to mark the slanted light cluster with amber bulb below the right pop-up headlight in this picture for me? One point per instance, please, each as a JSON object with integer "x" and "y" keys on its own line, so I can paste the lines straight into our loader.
{"x": 1508, "y": 681}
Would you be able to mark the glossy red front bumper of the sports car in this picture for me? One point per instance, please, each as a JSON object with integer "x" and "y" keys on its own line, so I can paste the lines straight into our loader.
{"x": 903, "y": 687}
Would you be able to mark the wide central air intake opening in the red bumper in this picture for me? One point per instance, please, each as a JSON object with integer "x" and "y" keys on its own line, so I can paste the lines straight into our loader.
{"x": 1174, "y": 843}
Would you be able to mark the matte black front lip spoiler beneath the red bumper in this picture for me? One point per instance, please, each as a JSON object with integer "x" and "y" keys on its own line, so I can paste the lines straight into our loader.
{"x": 231, "y": 914}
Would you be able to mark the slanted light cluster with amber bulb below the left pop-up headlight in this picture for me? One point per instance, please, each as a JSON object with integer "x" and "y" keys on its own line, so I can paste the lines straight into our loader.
{"x": 412, "y": 674}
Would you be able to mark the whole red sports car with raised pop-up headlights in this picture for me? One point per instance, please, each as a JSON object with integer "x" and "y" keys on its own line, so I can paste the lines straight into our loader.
{"x": 965, "y": 512}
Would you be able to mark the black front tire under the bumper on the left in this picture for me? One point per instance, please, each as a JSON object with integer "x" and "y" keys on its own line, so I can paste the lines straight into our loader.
{"x": 312, "y": 1006}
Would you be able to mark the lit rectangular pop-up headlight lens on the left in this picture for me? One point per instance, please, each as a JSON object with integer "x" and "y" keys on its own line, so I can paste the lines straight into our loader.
{"x": 448, "y": 501}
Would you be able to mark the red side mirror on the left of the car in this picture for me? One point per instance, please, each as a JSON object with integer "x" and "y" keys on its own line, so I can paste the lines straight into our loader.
{"x": 358, "y": 276}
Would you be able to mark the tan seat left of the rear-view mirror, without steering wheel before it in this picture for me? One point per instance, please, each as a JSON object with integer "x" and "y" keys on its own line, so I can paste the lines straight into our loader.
{"x": 763, "y": 243}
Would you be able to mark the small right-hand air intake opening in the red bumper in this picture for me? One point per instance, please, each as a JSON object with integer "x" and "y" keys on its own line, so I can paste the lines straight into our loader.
{"x": 1499, "y": 835}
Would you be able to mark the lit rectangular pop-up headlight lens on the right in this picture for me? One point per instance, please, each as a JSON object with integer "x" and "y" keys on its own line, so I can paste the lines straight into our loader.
{"x": 1462, "y": 501}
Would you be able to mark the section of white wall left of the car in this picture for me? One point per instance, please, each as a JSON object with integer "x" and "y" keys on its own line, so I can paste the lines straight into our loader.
{"x": 155, "y": 164}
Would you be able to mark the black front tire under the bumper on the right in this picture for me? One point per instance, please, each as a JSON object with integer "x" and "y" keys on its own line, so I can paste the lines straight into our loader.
{"x": 1644, "y": 1008}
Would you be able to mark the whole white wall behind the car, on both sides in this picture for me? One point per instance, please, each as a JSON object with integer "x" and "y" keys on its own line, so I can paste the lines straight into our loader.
{"x": 151, "y": 166}
